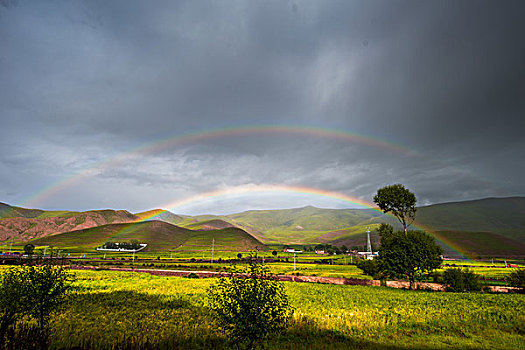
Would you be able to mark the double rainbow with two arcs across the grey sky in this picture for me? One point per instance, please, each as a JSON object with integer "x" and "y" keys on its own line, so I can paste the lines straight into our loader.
{"x": 189, "y": 138}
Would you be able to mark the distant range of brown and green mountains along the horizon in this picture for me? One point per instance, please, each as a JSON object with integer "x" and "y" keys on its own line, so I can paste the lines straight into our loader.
{"x": 485, "y": 227}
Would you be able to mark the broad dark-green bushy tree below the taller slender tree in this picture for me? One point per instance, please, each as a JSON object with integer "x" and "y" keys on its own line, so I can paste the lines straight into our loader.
{"x": 408, "y": 254}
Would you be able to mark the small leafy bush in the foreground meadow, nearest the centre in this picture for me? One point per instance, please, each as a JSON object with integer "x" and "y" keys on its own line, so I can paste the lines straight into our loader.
{"x": 250, "y": 304}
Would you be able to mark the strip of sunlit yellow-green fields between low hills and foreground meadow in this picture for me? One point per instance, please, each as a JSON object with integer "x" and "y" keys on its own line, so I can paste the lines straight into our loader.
{"x": 307, "y": 264}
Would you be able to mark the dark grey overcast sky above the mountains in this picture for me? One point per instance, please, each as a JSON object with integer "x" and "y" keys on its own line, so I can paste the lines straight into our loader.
{"x": 83, "y": 83}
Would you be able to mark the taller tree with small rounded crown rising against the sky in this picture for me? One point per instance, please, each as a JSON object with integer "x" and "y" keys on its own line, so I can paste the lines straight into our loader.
{"x": 399, "y": 201}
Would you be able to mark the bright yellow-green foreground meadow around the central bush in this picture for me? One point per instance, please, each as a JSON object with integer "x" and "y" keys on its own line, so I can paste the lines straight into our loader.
{"x": 131, "y": 310}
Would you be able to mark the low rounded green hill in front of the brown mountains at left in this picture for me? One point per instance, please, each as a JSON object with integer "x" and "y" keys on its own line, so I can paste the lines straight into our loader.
{"x": 159, "y": 235}
